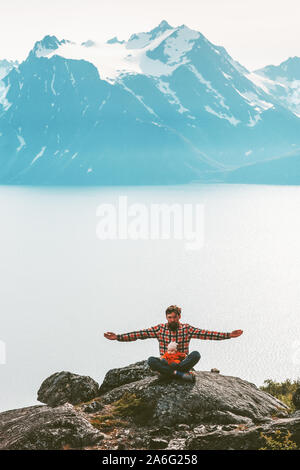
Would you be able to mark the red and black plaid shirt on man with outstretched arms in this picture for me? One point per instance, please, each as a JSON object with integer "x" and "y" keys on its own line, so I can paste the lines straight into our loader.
{"x": 182, "y": 336}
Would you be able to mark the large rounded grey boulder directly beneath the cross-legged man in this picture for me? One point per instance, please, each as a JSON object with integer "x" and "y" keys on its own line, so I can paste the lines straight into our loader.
{"x": 214, "y": 398}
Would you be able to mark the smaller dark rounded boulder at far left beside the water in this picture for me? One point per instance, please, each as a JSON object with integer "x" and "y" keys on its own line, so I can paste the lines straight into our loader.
{"x": 65, "y": 387}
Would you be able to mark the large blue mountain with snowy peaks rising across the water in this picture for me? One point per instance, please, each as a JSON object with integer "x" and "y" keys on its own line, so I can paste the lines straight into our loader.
{"x": 166, "y": 106}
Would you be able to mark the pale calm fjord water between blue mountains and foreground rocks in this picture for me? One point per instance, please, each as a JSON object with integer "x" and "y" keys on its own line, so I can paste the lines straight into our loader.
{"x": 62, "y": 287}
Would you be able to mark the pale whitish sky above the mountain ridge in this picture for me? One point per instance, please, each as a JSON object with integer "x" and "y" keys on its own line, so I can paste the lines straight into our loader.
{"x": 254, "y": 32}
